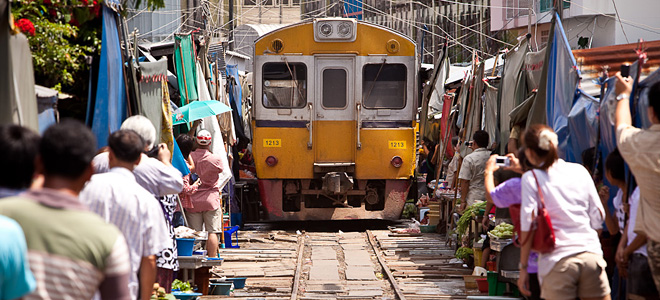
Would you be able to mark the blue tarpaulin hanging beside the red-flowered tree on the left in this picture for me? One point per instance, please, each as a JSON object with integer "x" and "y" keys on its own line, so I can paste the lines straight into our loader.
{"x": 110, "y": 104}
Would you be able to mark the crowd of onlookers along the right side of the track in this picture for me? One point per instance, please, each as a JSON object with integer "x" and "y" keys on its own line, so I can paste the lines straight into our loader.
{"x": 576, "y": 202}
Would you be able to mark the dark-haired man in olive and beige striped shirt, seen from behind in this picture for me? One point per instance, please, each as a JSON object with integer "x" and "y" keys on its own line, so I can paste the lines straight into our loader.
{"x": 72, "y": 251}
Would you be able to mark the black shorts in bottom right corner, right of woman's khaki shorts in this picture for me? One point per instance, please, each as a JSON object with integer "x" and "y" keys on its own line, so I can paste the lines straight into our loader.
{"x": 640, "y": 280}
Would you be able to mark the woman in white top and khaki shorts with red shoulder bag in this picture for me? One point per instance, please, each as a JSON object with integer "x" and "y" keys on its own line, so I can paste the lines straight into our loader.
{"x": 560, "y": 217}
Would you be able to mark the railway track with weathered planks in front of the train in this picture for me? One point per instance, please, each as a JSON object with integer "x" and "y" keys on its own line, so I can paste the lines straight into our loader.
{"x": 342, "y": 265}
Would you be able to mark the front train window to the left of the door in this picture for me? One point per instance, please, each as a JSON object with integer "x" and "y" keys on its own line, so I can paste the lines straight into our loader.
{"x": 284, "y": 85}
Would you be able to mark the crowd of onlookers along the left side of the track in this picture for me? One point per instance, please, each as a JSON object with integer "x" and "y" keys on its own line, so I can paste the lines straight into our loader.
{"x": 83, "y": 223}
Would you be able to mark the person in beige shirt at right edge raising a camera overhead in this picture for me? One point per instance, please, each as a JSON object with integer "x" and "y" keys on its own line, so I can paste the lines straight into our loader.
{"x": 639, "y": 148}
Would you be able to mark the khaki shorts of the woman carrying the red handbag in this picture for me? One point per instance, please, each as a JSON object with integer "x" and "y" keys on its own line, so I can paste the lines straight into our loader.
{"x": 577, "y": 276}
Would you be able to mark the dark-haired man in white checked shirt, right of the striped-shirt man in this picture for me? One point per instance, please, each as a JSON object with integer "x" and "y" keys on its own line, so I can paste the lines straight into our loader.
{"x": 121, "y": 201}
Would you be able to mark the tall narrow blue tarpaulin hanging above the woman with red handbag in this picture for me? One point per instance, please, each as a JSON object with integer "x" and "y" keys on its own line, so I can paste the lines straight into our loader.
{"x": 562, "y": 83}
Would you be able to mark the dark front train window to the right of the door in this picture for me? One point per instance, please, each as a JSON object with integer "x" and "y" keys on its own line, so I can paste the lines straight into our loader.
{"x": 384, "y": 86}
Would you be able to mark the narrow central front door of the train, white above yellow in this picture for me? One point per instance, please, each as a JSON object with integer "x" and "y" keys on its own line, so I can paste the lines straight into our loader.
{"x": 334, "y": 124}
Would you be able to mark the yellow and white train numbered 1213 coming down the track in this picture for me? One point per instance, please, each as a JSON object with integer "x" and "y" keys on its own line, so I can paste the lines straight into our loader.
{"x": 334, "y": 120}
